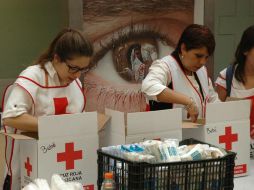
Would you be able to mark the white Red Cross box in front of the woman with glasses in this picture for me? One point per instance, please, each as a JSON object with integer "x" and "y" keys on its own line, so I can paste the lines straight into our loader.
{"x": 66, "y": 145}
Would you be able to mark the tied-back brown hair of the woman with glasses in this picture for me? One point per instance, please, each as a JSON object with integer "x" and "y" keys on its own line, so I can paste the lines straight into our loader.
{"x": 68, "y": 44}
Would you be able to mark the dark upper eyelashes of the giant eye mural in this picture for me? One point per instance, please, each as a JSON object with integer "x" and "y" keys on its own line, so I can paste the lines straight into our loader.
{"x": 123, "y": 37}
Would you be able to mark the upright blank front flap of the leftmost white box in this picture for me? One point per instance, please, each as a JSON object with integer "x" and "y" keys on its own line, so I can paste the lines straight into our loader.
{"x": 67, "y": 125}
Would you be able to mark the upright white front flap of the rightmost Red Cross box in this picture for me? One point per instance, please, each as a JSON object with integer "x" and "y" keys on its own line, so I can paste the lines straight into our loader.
{"x": 226, "y": 111}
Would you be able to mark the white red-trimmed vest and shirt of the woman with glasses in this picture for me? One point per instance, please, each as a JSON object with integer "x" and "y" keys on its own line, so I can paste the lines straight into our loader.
{"x": 37, "y": 93}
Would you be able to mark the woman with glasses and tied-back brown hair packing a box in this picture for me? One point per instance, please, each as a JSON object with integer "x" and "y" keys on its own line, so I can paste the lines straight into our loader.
{"x": 50, "y": 87}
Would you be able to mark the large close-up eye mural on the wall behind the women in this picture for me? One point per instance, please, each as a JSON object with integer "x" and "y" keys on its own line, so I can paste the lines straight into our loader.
{"x": 127, "y": 37}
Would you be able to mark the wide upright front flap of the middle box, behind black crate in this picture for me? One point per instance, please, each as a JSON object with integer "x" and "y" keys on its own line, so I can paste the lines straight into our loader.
{"x": 154, "y": 121}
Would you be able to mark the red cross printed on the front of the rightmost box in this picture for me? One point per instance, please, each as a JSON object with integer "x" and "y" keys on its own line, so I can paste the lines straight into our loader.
{"x": 228, "y": 138}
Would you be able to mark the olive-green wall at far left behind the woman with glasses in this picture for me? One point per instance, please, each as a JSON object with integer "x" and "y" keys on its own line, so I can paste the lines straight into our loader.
{"x": 27, "y": 28}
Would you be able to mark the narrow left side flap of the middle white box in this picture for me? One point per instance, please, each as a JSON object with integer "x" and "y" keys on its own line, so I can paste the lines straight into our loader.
{"x": 117, "y": 122}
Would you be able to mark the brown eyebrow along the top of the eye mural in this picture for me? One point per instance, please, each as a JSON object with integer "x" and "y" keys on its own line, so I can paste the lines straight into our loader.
{"x": 93, "y": 9}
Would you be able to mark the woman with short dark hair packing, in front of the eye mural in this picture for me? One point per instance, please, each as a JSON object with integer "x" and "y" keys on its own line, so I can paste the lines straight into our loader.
{"x": 181, "y": 79}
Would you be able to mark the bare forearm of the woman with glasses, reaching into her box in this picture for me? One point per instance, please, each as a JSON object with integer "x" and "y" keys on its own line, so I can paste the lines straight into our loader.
{"x": 24, "y": 122}
